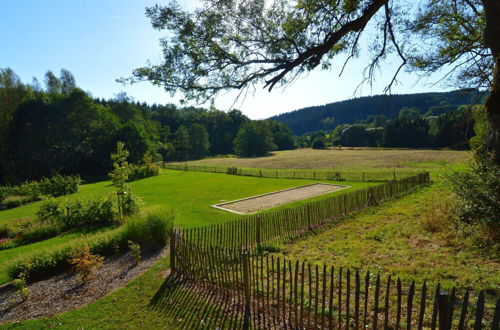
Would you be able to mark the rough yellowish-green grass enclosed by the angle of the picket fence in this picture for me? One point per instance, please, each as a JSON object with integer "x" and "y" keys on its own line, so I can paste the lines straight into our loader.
{"x": 391, "y": 239}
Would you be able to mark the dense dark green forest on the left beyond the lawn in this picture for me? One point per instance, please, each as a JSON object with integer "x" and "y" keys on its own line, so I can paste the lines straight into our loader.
{"x": 59, "y": 128}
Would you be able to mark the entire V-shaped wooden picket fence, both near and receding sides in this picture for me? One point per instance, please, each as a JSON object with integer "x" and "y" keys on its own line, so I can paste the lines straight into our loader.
{"x": 229, "y": 260}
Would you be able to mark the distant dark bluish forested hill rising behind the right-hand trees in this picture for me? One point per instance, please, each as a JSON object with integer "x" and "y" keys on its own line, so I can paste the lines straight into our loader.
{"x": 327, "y": 117}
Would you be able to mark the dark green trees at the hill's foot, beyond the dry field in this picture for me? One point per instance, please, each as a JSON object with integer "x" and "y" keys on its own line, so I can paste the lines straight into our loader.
{"x": 443, "y": 126}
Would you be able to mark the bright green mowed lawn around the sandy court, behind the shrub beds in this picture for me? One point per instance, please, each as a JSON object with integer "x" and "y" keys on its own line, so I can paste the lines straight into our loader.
{"x": 189, "y": 194}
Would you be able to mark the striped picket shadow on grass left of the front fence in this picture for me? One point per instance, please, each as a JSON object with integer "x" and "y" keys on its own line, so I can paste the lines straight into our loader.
{"x": 194, "y": 305}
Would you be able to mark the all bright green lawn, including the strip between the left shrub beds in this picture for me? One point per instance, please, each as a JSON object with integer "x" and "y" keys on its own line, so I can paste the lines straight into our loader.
{"x": 190, "y": 194}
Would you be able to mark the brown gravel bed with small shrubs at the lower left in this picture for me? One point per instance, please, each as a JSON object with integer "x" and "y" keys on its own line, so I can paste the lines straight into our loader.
{"x": 65, "y": 292}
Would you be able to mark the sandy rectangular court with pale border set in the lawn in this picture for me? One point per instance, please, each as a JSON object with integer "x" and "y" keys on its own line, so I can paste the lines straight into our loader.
{"x": 261, "y": 202}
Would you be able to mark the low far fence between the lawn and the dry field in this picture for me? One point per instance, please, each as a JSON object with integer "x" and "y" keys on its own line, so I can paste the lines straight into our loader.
{"x": 296, "y": 174}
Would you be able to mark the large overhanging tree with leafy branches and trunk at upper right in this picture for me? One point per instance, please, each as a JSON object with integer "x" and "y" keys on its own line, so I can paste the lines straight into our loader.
{"x": 239, "y": 44}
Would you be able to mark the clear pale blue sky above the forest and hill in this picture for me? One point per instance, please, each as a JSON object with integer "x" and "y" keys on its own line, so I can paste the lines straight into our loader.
{"x": 102, "y": 40}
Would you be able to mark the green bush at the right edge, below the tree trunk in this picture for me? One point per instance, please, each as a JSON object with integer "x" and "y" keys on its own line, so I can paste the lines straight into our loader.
{"x": 478, "y": 193}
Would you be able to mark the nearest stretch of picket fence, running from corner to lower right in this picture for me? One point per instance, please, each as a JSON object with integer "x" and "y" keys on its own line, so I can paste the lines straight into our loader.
{"x": 279, "y": 293}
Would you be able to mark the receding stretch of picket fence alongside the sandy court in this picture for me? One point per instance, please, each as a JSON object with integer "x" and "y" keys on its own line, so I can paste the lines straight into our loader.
{"x": 290, "y": 223}
